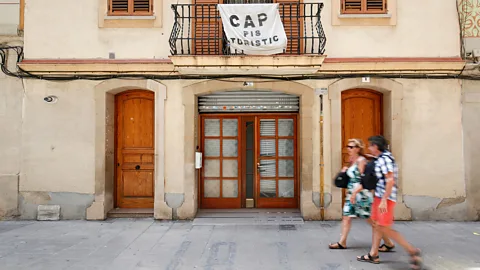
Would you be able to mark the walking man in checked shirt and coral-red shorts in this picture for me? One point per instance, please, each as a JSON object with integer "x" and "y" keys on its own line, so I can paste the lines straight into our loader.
{"x": 384, "y": 204}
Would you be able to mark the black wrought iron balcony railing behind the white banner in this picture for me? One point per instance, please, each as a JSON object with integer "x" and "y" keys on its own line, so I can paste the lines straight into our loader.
{"x": 197, "y": 30}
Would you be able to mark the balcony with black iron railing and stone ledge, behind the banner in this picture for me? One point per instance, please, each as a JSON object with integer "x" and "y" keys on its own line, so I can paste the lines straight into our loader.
{"x": 198, "y": 42}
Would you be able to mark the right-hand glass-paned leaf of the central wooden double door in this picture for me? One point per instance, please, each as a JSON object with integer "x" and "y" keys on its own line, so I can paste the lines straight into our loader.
{"x": 277, "y": 180}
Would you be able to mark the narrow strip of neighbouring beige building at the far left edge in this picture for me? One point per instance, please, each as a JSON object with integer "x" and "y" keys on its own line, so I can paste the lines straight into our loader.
{"x": 11, "y": 96}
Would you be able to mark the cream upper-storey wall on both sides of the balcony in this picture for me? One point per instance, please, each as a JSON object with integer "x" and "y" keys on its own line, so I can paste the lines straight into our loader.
{"x": 417, "y": 32}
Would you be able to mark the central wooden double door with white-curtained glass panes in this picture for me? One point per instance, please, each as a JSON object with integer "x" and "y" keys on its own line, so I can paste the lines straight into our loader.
{"x": 249, "y": 158}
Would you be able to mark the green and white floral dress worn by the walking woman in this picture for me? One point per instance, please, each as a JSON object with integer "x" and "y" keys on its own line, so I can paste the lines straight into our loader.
{"x": 363, "y": 203}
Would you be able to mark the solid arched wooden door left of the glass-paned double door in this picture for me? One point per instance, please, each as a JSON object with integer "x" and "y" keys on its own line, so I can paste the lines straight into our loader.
{"x": 134, "y": 184}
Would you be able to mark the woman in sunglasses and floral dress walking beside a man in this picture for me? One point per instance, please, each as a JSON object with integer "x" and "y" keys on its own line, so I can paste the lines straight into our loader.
{"x": 358, "y": 201}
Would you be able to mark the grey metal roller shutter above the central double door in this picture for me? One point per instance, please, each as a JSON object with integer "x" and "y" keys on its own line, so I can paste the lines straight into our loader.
{"x": 248, "y": 101}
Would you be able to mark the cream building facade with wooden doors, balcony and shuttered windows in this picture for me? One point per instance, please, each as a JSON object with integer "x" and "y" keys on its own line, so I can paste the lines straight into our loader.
{"x": 117, "y": 97}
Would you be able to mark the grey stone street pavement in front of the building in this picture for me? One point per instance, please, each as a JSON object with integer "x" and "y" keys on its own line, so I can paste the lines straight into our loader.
{"x": 148, "y": 244}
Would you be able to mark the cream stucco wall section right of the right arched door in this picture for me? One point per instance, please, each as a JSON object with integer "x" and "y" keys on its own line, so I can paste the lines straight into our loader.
{"x": 433, "y": 138}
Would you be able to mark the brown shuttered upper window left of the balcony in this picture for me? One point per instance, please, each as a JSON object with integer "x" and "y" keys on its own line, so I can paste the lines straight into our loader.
{"x": 130, "y": 7}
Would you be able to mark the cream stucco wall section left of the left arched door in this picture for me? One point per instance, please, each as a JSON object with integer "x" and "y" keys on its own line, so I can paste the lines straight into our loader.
{"x": 58, "y": 139}
